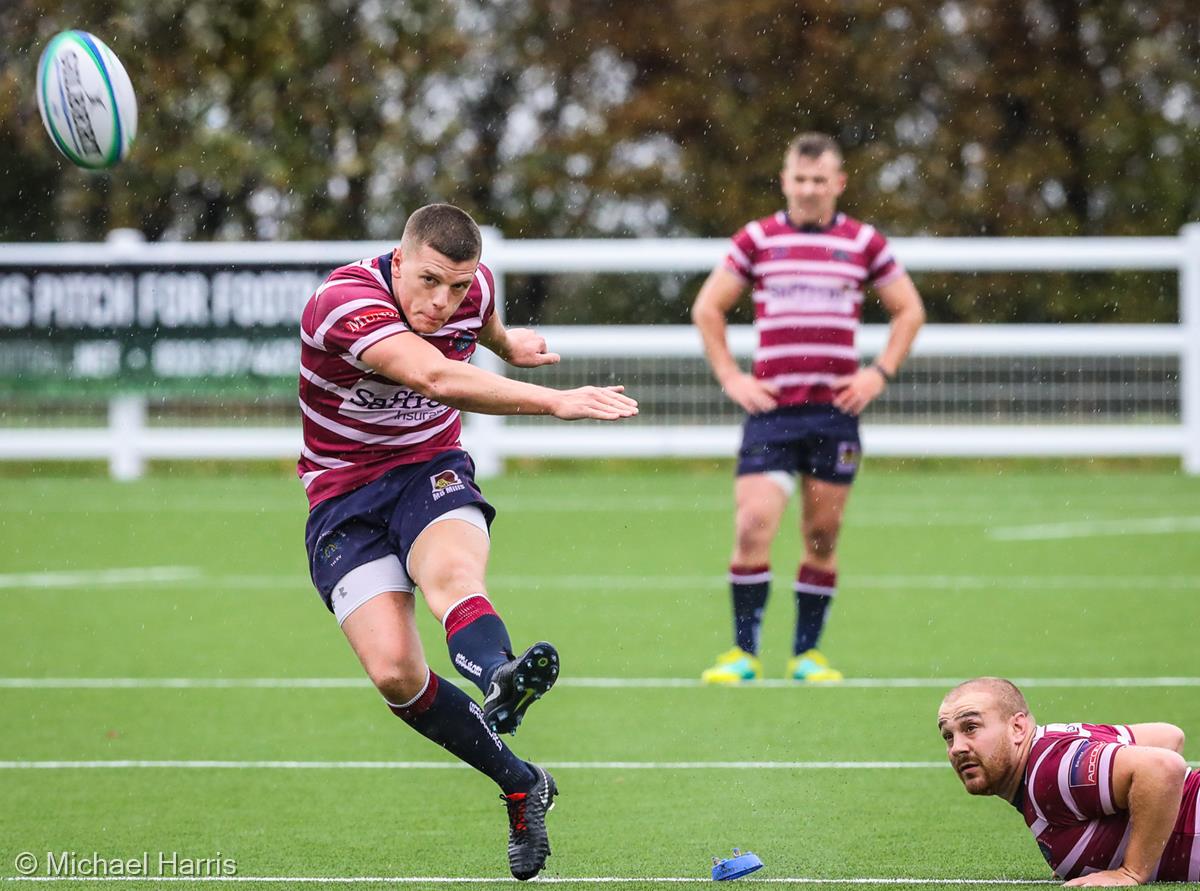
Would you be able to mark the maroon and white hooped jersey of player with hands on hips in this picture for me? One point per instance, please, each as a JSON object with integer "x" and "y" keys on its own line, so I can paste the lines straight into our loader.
{"x": 808, "y": 298}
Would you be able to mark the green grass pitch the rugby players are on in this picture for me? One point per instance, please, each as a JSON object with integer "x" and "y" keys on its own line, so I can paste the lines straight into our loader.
{"x": 1067, "y": 579}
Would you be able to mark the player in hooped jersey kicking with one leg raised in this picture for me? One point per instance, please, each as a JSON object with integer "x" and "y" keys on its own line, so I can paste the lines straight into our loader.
{"x": 394, "y": 501}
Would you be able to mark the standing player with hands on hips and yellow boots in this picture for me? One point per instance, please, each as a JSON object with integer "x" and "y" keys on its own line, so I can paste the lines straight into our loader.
{"x": 807, "y": 267}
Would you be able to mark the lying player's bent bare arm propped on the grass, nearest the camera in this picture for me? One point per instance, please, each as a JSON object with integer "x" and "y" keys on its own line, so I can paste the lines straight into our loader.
{"x": 1149, "y": 784}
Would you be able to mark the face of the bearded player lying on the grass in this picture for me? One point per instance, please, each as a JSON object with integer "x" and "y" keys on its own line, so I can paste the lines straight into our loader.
{"x": 979, "y": 741}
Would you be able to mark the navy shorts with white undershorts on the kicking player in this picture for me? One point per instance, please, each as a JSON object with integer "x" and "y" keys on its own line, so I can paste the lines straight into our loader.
{"x": 358, "y": 543}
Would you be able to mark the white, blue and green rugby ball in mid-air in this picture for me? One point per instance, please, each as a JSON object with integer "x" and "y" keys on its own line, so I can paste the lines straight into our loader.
{"x": 87, "y": 100}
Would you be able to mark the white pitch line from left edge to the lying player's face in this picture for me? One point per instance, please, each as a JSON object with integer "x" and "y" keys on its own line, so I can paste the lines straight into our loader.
{"x": 460, "y": 766}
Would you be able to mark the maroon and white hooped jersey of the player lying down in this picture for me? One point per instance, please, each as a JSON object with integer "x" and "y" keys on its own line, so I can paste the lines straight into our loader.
{"x": 1067, "y": 804}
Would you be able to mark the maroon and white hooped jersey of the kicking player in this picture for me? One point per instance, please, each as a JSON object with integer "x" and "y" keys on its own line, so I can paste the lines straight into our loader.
{"x": 359, "y": 424}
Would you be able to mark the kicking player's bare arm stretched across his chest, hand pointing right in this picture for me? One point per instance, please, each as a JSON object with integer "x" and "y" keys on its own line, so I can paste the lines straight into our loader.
{"x": 412, "y": 362}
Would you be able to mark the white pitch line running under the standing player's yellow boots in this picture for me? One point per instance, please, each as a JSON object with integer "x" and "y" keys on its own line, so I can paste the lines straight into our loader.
{"x": 581, "y": 683}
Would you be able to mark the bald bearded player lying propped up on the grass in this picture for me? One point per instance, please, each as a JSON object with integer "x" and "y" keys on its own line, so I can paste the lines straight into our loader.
{"x": 1108, "y": 805}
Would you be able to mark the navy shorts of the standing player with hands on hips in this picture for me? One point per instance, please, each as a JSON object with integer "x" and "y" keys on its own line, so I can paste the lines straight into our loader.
{"x": 815, "y": 441}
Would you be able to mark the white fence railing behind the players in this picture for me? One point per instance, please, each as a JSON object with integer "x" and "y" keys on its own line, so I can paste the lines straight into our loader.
{"x": 128, "y": 442}
